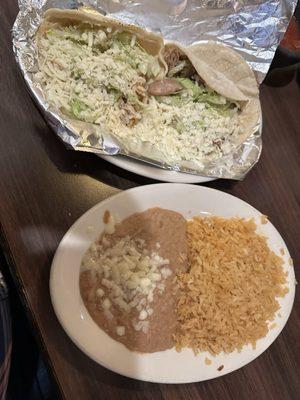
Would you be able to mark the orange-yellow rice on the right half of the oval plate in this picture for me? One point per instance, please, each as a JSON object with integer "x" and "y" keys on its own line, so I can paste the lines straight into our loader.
{"x": 228, "y": 296}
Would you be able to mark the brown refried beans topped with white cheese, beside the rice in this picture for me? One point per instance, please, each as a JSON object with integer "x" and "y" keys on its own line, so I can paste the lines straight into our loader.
{"x": 127, "y": 279}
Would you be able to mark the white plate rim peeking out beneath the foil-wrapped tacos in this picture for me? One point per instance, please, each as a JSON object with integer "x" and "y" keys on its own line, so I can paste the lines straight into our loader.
{"x": 150, "y": 171}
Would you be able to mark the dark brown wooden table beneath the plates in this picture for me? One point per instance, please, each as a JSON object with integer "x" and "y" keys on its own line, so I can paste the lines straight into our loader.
{"x": 44, "y": 188}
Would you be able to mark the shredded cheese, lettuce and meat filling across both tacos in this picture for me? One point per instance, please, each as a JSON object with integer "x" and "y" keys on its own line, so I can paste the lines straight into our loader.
{"x": 104, "y": 76}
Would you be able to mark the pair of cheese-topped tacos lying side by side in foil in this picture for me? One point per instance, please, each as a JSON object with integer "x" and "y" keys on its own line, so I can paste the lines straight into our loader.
{"x": 190, "y": 104}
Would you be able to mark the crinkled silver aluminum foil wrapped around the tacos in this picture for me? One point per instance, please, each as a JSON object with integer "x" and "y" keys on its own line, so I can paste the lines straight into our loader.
{"x": 253, "y": 28}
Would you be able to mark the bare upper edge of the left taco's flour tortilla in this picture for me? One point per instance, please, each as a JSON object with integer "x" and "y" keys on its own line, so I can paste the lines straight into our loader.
{"x": 151, "y": 42}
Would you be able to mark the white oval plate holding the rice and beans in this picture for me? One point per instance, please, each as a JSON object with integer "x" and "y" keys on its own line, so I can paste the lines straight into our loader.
{"x": 167, "y": 366}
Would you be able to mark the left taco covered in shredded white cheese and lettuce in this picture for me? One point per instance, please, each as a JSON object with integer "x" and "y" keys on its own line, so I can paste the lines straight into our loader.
{"x": 94, "y": 68}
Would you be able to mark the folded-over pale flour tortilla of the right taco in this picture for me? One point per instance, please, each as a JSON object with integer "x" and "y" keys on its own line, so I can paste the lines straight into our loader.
{"x": 227, "y": 73}
